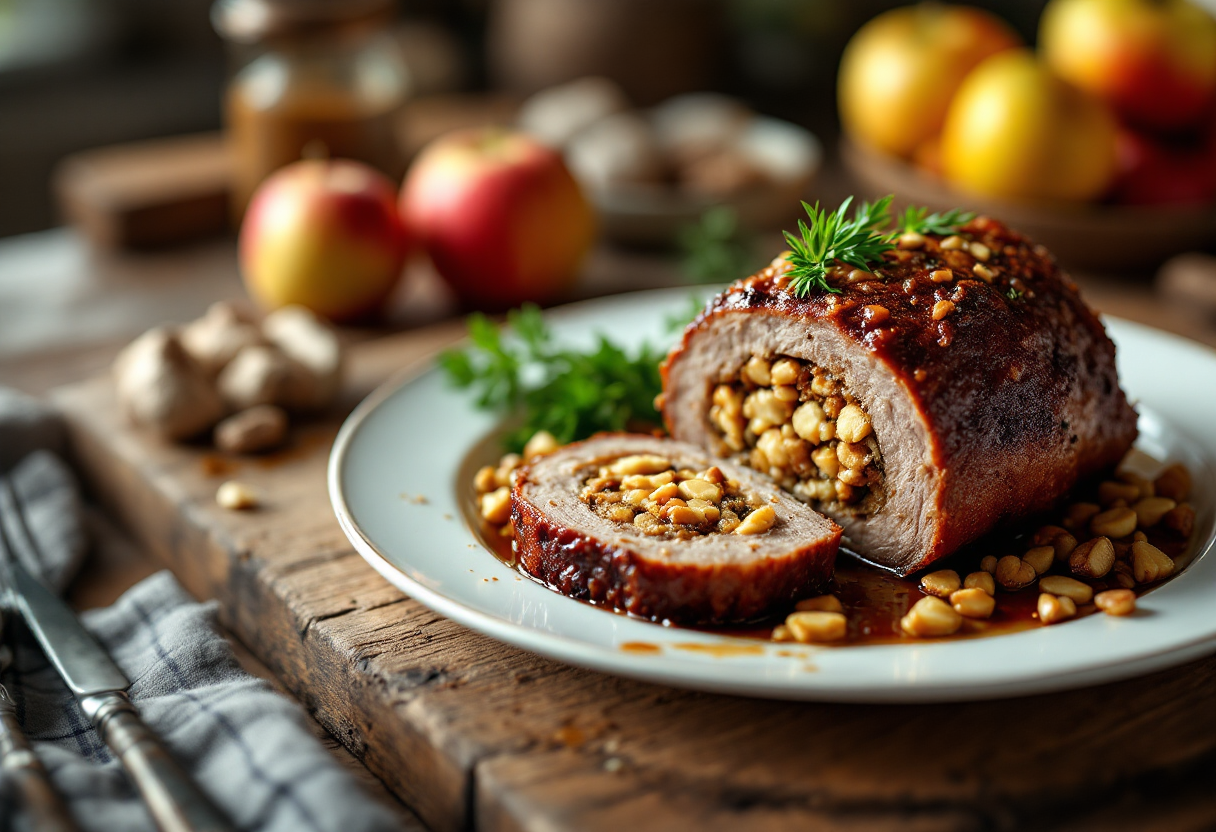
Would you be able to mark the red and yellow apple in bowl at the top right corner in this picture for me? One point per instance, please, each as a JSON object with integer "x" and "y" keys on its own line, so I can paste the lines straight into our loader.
{"x": 1155, "y": 61}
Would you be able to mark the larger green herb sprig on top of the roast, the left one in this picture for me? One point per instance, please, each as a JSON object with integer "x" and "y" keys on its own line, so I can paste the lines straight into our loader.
{"x": 834, "y": 237}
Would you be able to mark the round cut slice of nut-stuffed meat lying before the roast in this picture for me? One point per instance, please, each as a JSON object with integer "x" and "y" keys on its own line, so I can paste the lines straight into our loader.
{"x": 663, "y": 531}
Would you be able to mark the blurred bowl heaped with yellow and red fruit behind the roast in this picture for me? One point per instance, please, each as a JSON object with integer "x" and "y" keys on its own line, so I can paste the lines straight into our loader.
{"x": 1100, "y": 144}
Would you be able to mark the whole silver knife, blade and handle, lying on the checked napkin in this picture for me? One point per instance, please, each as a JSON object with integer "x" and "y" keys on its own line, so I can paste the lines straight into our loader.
{"x": 100, "y": 688}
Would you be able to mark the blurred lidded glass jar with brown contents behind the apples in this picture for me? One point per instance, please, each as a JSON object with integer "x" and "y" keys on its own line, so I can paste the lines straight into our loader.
{"x": 317, "y": 78}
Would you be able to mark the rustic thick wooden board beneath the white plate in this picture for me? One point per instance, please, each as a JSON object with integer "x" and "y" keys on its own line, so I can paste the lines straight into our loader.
{"x": 477, "y": 735}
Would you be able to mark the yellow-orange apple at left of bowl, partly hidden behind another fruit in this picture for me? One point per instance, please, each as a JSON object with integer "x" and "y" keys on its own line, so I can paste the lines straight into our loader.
{"x": 902, "y": 70}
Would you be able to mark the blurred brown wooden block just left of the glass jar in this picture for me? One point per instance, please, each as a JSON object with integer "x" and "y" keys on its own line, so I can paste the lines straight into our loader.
{"x": 149, "y": 194}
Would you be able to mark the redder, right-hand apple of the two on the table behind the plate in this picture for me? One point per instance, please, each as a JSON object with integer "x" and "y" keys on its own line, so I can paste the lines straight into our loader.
{"x": 500, "y": 216}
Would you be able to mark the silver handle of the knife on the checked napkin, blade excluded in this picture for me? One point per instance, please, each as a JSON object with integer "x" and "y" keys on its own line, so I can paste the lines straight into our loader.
{"x": 173, "y": 800}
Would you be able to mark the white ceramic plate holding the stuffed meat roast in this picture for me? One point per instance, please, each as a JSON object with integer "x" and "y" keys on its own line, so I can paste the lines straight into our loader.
{"x": 413, "y": 437}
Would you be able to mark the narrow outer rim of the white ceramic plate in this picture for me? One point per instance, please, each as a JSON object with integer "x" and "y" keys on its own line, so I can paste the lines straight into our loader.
{"x": 596, "y": 657}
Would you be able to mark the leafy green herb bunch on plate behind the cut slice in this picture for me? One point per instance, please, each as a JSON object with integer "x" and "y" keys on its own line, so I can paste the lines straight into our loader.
{"x": 570, "y": 393}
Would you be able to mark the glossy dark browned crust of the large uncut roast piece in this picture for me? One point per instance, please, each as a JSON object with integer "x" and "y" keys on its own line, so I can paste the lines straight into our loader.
{"x": 1017, "y": 389}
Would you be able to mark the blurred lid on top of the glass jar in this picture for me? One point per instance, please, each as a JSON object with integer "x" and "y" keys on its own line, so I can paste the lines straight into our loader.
{"x": 254, "y": 21}
